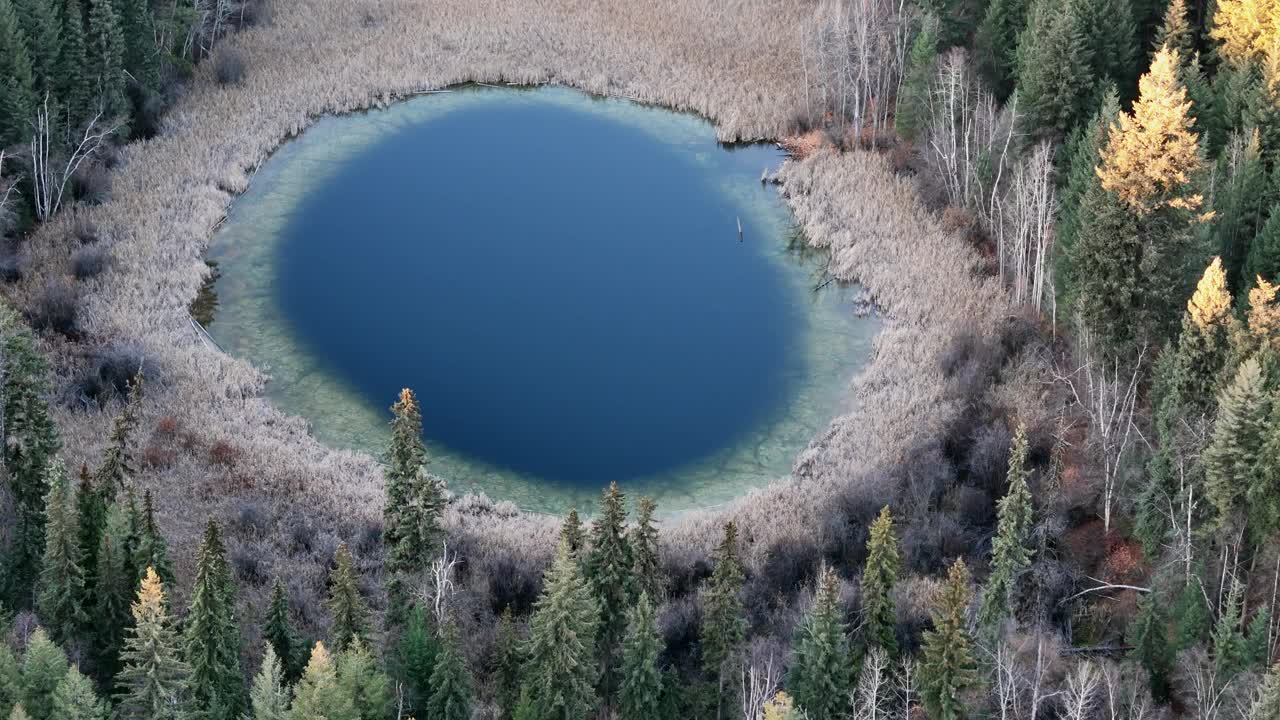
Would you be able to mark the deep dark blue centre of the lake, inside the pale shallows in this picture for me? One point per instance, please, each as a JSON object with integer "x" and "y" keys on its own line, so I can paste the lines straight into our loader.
{"x": 568, "y": 295}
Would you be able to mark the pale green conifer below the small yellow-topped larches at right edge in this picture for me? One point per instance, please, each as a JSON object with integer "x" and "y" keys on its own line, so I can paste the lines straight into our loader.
{"x": 1231, "y": 459}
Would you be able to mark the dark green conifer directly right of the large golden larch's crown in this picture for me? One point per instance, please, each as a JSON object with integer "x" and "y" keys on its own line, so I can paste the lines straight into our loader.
{"x": 1240, "y": 204}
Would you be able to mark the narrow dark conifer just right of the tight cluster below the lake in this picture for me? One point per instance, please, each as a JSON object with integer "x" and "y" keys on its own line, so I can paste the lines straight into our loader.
{"x": 724, "y": 628}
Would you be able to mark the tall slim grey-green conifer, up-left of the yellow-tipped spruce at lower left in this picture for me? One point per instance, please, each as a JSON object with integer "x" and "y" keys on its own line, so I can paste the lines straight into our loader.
{"x": 62, "y": 580}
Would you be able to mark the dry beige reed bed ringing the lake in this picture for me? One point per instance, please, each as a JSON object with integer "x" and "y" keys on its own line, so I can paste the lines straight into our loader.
{"x": 737, "y": 63}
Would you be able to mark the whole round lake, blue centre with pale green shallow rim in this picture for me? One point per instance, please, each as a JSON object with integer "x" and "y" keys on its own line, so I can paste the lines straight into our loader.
{"x": 579, "y": 291}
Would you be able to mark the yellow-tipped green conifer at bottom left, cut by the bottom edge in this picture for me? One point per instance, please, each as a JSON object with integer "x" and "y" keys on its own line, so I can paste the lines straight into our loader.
{"x": 154, "y": 681}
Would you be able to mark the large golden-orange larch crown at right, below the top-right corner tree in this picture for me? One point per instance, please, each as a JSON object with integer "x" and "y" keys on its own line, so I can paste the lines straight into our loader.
{"x": 1153, "y": 153}
